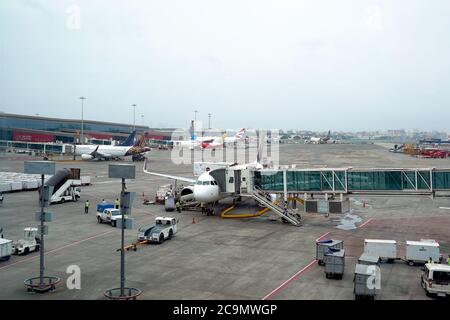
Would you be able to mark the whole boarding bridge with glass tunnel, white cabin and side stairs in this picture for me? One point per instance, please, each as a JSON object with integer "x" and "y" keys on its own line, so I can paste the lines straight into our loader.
{"x": 294, "y": 185}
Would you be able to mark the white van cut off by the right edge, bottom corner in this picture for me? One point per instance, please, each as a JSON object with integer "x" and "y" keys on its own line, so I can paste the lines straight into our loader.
{"x": 436, "y": 279}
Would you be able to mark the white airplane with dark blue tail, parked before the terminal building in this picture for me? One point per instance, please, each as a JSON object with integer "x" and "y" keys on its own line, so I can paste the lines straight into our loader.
{"x": 126, "y": 148}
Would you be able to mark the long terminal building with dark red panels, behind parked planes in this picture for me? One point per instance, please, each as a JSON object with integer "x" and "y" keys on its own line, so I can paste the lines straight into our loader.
{"x": 31, "y": 132}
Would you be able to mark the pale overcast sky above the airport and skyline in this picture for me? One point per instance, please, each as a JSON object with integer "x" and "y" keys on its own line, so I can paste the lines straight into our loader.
{"x": 339, "y": 65}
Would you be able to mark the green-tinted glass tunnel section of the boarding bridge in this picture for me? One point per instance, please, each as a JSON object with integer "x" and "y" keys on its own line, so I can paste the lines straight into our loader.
{"x": 357, "y": 181}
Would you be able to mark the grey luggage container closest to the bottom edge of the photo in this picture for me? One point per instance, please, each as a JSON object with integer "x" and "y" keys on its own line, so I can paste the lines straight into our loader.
{"x": 364, "y": 287}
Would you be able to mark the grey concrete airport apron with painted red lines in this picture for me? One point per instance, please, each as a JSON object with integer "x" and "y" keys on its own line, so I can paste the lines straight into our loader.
{"x": 221, "y": 259}
